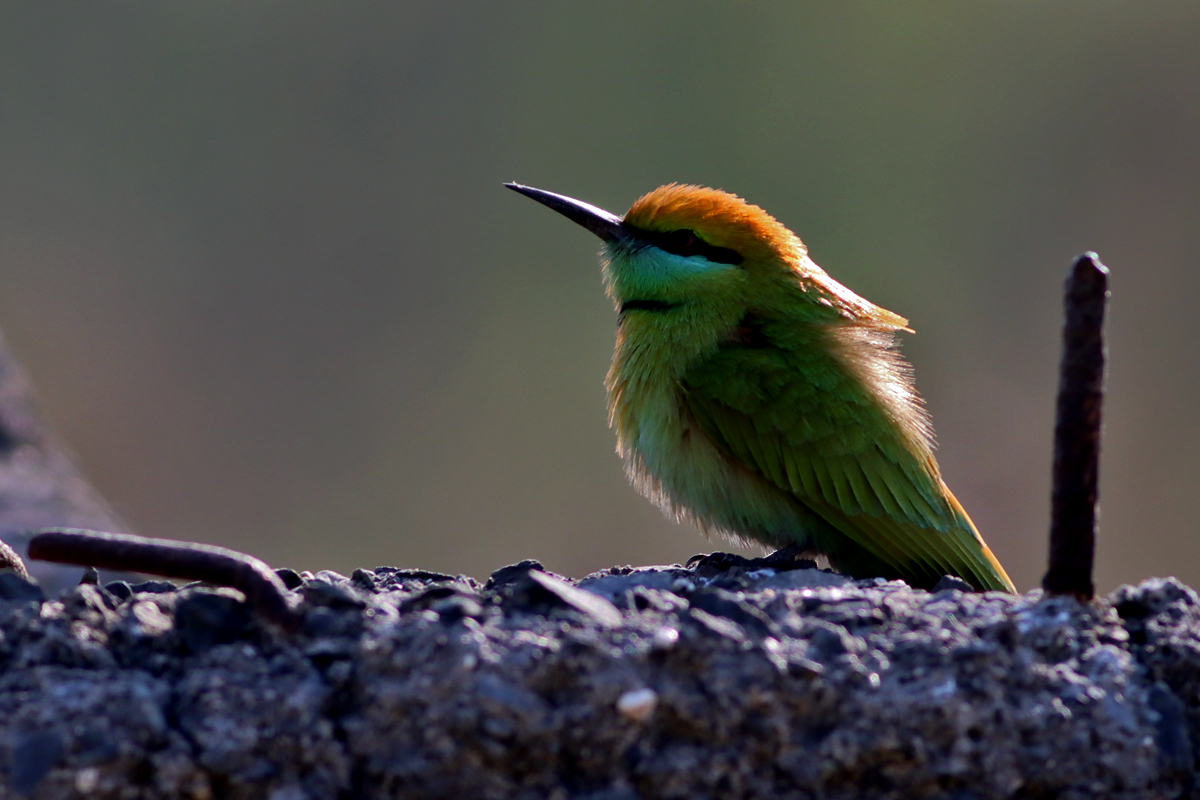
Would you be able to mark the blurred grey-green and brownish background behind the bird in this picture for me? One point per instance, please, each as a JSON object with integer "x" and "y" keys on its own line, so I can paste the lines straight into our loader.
{"x": 259, "y": 263}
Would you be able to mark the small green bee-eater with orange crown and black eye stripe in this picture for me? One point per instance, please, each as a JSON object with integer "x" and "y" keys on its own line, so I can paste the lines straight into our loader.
{"x": 760, "y": 399}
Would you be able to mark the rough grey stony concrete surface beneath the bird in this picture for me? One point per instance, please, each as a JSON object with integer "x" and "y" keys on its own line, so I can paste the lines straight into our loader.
{"x": 729, "y": 679}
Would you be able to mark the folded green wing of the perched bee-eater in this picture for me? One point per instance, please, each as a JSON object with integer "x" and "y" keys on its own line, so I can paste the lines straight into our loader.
{"x": 802, "y": 420}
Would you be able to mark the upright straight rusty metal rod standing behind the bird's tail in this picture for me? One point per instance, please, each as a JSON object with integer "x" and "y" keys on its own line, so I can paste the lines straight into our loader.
{"x": 1077, "y": 448}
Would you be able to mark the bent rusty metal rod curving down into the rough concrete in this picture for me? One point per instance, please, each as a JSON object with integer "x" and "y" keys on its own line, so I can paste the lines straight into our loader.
{"x": 188, "y": 561}
